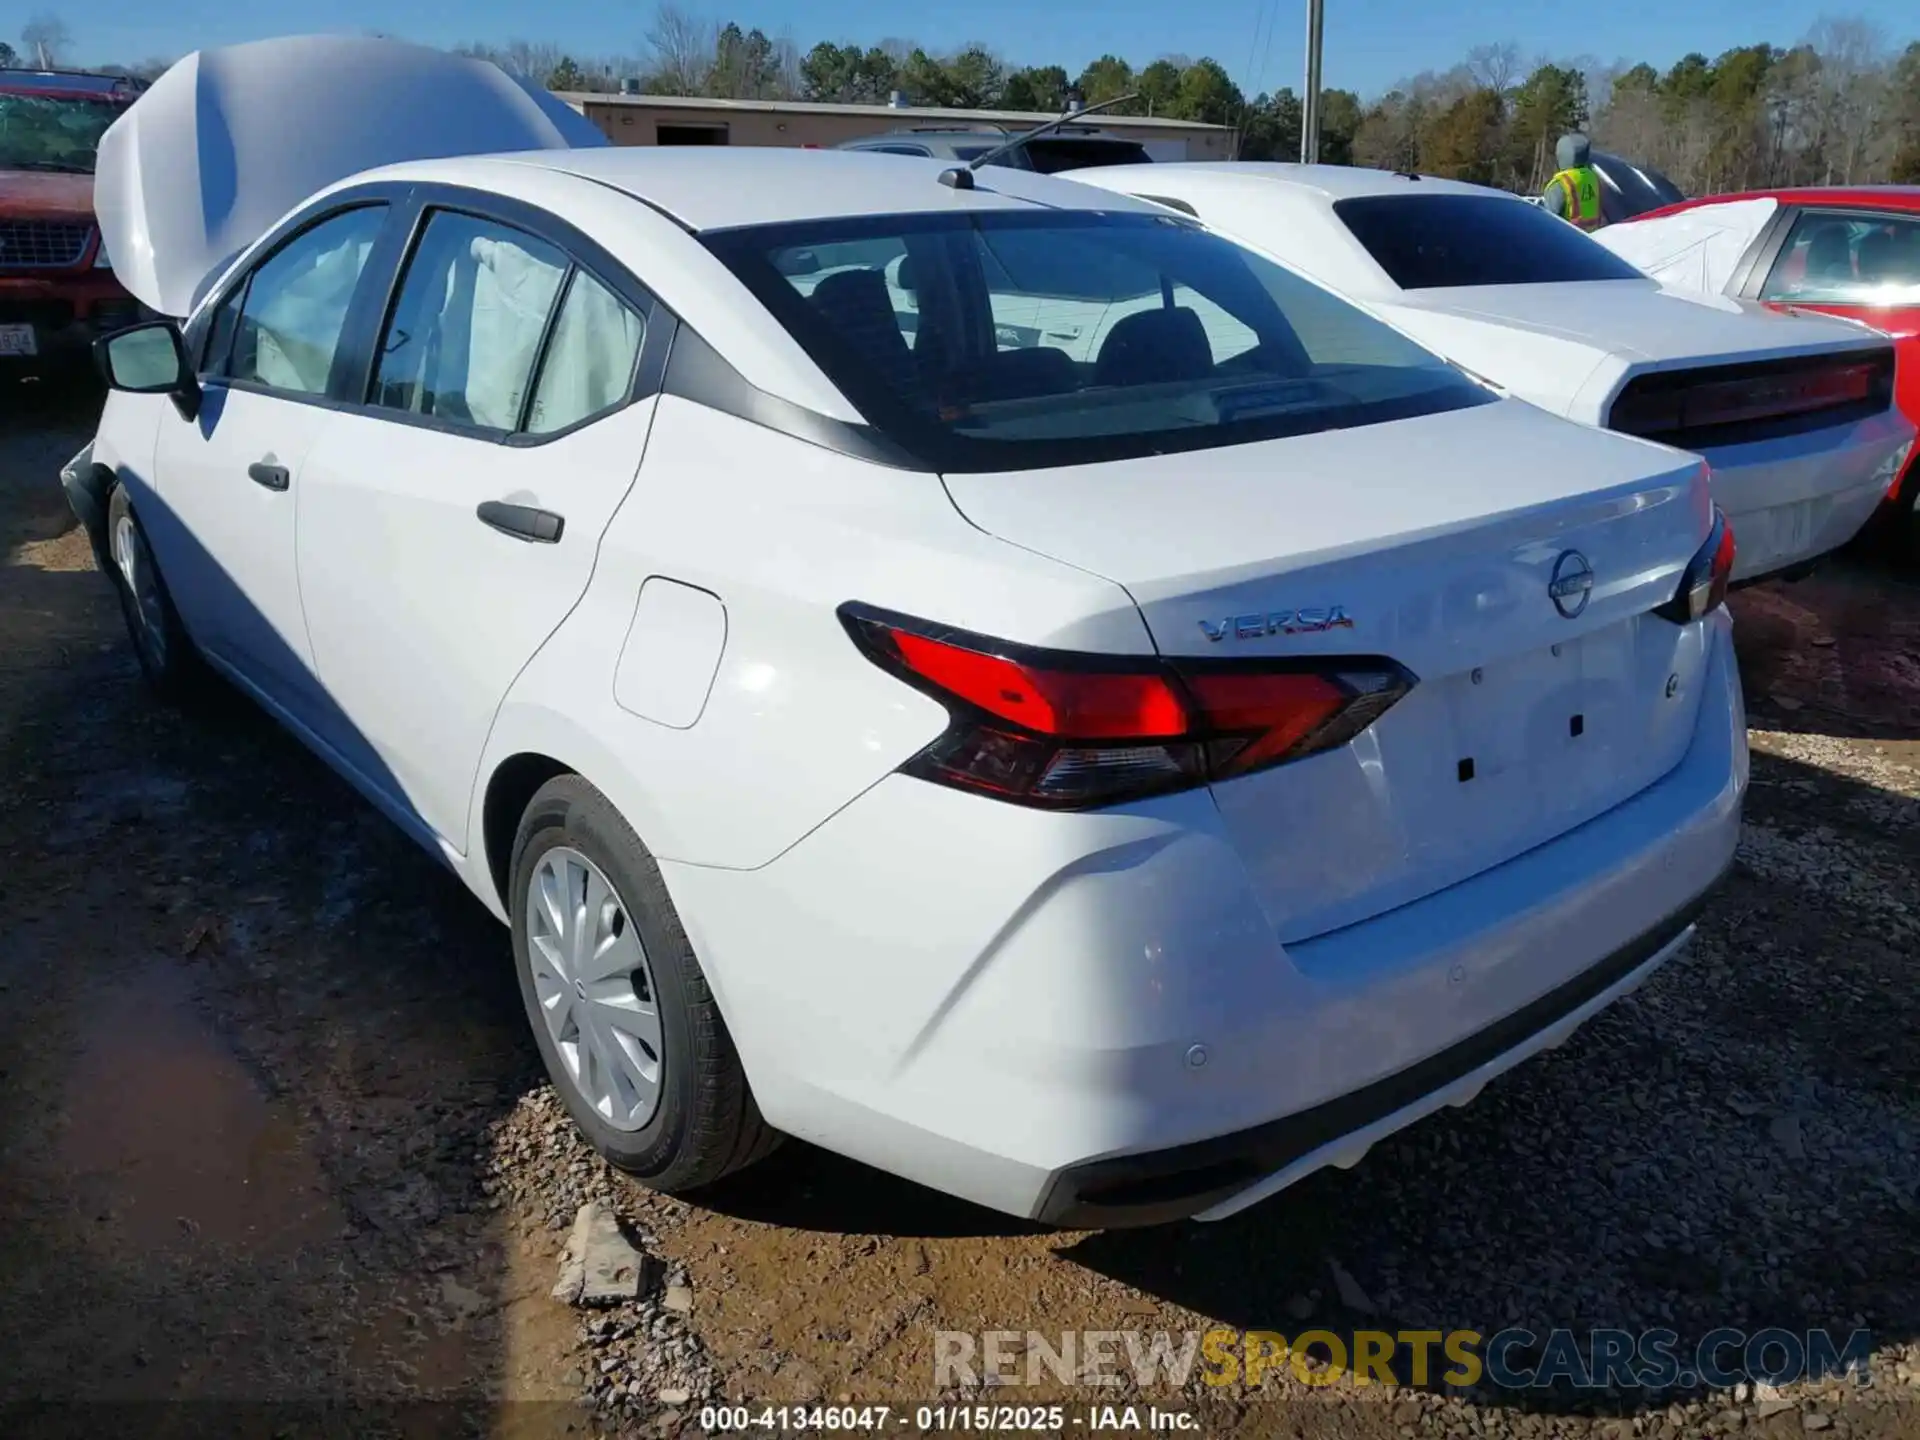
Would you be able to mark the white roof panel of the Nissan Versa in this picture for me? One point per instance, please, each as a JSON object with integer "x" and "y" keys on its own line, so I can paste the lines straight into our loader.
{"x": 713, "y": 189}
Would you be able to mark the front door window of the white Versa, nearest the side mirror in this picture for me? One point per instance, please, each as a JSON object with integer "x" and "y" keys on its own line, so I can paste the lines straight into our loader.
{"x": 283, "y": 327}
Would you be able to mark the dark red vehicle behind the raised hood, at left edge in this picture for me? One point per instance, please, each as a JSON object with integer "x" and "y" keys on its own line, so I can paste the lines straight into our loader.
{"x": 57, "y": 283}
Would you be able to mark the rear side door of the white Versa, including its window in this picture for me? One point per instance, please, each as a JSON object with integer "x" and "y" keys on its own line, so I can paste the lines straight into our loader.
{"x": 450, "y": 525}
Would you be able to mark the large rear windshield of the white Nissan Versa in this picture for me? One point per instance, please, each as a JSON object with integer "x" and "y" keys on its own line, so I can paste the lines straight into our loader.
{"x": 1009, "y": 341}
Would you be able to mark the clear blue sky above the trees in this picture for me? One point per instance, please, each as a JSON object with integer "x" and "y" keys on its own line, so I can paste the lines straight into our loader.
{"x": 1370, "y": 43}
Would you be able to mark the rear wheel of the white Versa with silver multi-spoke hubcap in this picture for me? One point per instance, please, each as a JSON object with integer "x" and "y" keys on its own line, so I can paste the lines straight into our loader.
{"x": 704, "y": 1122}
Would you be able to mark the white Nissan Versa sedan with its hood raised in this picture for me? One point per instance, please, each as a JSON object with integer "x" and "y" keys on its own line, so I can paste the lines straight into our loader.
{"x": 1107, "y": 786}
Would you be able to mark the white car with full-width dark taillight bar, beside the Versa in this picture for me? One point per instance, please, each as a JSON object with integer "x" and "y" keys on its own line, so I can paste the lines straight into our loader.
{"x": 1792, "y": 412}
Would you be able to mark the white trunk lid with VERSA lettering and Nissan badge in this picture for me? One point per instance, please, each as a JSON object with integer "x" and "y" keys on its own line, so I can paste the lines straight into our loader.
{"x": 1451, "y": 544}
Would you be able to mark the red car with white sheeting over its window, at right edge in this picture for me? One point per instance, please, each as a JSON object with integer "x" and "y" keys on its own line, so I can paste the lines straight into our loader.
{"x": 1850, "y": 252}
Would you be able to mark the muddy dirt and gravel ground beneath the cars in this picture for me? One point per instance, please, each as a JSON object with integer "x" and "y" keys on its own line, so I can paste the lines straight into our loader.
{"x": 276, "y": 1151}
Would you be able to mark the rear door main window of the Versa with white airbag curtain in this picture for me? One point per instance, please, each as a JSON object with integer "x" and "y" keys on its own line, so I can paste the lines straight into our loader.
{"x": 466, "y": 333}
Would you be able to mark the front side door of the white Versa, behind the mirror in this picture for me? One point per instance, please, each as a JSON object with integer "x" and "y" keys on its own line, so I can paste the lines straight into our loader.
{"x": 228, "y": 481}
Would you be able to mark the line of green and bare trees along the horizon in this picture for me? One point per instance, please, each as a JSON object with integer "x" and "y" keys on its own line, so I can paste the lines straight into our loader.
{"x": 1838, "y": 108}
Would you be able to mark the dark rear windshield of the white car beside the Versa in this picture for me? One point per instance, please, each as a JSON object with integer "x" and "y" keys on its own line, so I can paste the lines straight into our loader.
{"x": 1433, "y": 243}
